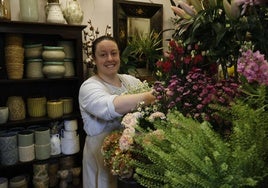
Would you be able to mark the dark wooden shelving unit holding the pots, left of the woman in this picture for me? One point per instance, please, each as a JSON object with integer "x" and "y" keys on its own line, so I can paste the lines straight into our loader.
{"x": 47, "y": 34}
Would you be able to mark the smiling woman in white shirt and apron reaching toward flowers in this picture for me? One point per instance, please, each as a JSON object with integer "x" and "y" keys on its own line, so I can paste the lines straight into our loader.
{"x": 102, "y": 105}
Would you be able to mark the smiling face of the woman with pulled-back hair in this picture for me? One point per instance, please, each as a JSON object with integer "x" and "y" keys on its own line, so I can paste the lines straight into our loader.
{"x": 107, "y": 58}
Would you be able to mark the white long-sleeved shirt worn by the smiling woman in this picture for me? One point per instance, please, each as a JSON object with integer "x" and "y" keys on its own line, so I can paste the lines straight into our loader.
{"x": 96, "y": 103}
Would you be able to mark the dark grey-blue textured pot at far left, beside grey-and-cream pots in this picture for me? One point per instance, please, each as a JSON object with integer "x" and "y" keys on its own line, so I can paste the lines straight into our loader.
{"x": 8, "y": 148}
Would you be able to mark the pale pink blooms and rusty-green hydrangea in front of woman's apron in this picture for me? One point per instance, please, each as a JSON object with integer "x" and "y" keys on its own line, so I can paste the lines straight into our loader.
{"x": 118, "y": 146}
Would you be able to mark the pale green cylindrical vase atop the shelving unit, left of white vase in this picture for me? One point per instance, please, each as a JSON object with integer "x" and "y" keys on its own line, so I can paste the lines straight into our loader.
{"x": 29, "y": 10}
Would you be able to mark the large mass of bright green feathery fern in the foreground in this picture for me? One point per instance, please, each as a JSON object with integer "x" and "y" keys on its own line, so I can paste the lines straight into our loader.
{"x": 192, "y": 154}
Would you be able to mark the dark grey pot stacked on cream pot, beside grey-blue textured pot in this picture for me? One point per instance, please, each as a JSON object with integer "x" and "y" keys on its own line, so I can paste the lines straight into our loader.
{"x": 26, "y": 146}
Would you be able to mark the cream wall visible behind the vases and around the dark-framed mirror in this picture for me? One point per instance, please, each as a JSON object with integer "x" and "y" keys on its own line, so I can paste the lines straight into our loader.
{"x": 99, "y": 11}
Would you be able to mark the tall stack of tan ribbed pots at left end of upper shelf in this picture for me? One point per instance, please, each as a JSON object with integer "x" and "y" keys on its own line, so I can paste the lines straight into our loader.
{"x": 14, "y": 56}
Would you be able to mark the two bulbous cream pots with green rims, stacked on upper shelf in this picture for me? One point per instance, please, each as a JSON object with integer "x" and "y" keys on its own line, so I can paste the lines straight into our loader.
{"x": 53, "y": 57}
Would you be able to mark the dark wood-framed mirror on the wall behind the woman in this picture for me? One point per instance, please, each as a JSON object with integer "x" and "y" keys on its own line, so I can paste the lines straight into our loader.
{"x": 132, "y": 17}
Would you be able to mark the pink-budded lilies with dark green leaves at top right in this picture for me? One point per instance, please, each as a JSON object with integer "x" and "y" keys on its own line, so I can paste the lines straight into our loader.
{"x": 222, "y": 27}
